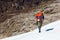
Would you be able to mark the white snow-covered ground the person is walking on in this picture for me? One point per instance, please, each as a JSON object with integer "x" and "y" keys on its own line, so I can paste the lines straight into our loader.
{"x": 53, "y": 34}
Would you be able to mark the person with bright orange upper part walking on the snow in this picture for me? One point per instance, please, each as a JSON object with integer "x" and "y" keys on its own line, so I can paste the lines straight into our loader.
{"x": 40, "y": 19}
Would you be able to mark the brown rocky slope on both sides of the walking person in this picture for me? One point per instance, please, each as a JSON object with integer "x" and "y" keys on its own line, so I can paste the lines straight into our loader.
{"x": 25, "y": 22}
